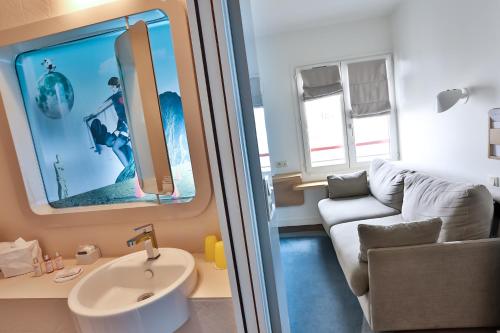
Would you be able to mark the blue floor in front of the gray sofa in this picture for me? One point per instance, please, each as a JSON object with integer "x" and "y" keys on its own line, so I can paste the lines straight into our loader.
{"x": 319, "y": 299}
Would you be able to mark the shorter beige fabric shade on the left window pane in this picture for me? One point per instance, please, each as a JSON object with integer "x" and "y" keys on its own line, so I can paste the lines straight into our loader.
{"x": 321, "y": 81}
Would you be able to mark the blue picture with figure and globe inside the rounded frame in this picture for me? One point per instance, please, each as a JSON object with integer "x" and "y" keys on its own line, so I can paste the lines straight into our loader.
{"x": 75, "y": 109}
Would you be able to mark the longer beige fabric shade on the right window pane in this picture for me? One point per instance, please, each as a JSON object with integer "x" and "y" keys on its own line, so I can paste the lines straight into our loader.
{"x": 369, "y": 88}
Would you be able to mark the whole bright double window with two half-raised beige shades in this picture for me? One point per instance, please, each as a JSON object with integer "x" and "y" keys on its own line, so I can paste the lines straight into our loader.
{"x": 347, "y": 113}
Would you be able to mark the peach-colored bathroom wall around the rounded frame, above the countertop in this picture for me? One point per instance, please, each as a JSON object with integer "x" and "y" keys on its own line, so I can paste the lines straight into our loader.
{"x": 108, "y": 229}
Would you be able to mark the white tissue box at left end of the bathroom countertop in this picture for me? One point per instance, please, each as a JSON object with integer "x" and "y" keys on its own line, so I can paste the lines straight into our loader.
{"x": 16, "y": 258}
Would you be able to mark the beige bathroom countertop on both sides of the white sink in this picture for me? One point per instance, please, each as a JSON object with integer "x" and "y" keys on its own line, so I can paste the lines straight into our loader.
{"x": 212, "y": 282}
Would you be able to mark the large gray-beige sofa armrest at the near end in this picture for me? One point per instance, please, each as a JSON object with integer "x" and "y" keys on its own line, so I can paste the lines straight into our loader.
{"x": 443, "y": 285}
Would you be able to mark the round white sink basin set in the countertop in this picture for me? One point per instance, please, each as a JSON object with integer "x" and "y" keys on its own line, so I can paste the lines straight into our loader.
{"x": 134, "y": 295}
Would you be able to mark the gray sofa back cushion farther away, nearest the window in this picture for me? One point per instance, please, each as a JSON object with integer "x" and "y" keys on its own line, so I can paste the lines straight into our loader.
{"x": 387, "y": 183}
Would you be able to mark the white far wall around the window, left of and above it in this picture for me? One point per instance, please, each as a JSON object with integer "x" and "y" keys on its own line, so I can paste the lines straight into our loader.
{"x": 278, "y": 57}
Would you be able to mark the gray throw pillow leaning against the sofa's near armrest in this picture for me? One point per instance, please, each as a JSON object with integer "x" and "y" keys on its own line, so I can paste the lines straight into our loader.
{"x": 401, "y": 234}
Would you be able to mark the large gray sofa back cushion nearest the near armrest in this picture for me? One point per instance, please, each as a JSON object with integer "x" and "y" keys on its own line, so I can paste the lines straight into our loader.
{"x": 466, "y": 210}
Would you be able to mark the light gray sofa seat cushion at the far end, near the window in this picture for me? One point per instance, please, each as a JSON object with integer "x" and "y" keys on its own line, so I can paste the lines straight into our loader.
{"x": 335, "y": 211}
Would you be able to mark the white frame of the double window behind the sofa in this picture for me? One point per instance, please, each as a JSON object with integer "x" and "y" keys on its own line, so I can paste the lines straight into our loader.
{"x": 349, "y": 139}
